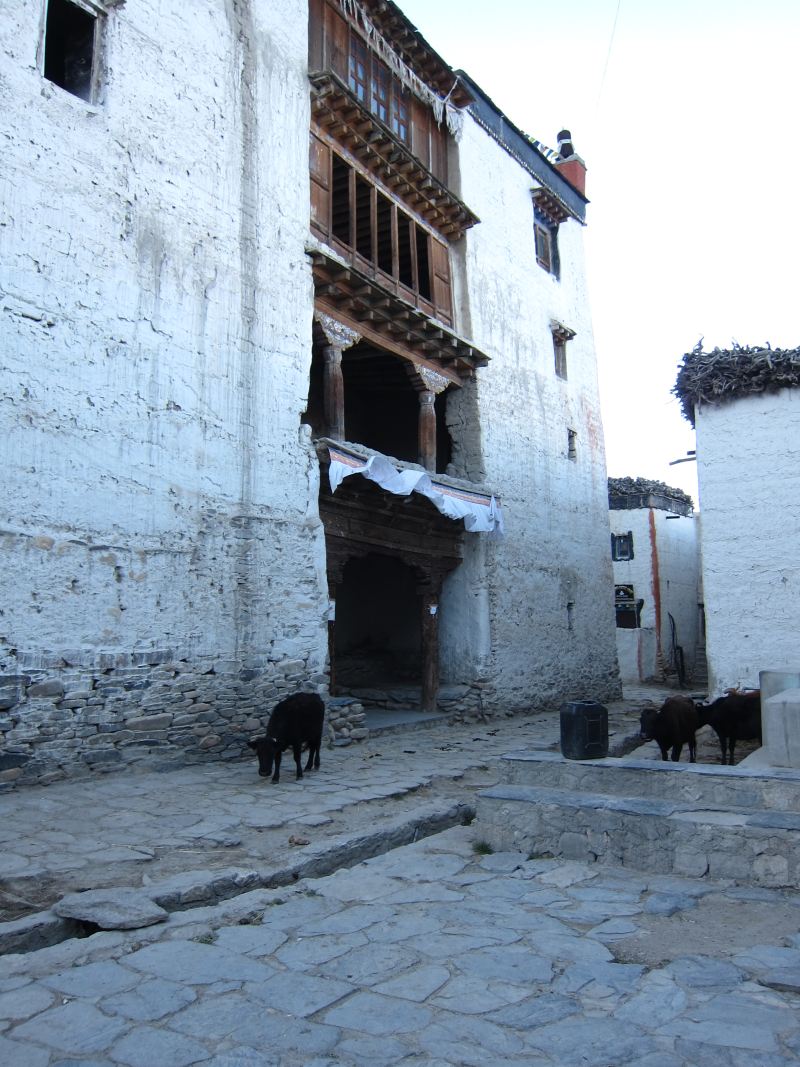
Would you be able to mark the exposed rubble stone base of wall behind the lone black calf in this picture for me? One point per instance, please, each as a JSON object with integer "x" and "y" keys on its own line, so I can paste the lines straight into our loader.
{"x": 73, "y": 722}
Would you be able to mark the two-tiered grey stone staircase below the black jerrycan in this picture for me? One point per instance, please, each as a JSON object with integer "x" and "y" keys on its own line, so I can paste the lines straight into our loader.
{"x": 690, "y": 820}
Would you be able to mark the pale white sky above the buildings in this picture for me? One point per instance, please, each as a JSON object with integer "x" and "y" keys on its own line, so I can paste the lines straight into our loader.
{"x": 687, "y": 118}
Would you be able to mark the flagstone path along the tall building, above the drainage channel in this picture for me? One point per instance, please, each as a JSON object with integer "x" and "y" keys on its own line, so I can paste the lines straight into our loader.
{"x": 147, "y": 827}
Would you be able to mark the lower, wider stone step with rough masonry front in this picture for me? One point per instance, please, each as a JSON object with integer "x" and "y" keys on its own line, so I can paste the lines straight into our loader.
{"x": 646, "y": 834}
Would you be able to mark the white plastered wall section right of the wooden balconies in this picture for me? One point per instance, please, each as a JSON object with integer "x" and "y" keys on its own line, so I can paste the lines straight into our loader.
{"x": 549, "y": 585}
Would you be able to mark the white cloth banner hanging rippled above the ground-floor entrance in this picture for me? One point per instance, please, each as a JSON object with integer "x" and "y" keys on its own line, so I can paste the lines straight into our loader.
{"x": 482, "y": 514}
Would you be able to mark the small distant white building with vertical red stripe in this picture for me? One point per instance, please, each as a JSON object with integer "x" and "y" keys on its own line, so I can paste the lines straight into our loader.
{"x": 657, "y": 567}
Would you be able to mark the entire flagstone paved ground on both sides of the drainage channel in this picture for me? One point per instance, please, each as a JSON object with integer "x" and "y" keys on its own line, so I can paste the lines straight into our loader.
{"x": 434, "y": 953}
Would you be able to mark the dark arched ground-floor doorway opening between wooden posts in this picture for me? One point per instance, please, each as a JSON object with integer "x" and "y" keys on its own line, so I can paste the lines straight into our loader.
{"x": 378, "y": 625}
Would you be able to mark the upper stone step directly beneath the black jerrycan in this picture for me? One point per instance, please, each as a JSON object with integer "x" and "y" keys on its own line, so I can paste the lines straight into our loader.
{"x": 757, "y": 789}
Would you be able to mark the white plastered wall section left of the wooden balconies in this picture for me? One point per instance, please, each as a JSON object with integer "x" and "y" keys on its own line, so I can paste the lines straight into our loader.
{"x": 155, "y": 326}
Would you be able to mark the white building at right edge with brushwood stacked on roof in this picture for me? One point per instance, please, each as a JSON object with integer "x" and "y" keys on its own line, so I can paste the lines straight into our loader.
{"x": 745, "y": 406}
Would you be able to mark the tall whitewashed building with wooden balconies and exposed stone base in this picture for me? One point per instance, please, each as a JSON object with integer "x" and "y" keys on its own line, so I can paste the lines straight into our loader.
{"x": 205, "y": 330}
